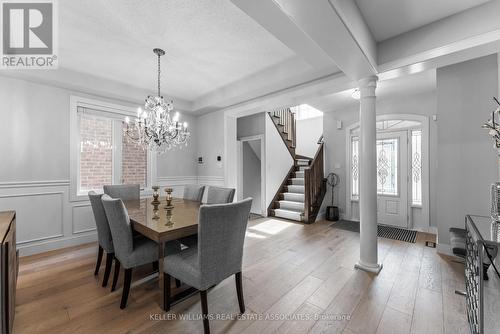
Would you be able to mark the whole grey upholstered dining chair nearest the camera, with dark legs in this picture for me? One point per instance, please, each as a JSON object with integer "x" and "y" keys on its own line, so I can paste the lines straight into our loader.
{"x": 217, "y": 255}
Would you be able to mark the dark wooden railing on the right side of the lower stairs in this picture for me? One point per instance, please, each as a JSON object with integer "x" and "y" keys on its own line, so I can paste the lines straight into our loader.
{"x": 314, "y": 184}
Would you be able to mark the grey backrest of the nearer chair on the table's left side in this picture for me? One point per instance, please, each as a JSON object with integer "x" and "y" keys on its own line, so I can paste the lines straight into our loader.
{"x": 119, "y": 224}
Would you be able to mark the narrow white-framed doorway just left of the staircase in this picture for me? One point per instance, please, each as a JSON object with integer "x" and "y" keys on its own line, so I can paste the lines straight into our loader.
{"x": 251, "y": 173}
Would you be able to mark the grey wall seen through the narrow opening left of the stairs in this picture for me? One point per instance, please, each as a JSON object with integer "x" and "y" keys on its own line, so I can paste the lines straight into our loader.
{"x": 252, "y": 174}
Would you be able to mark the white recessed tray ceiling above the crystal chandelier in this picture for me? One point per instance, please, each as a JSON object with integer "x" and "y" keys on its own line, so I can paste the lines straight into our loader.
{"x": 209, "y": 43}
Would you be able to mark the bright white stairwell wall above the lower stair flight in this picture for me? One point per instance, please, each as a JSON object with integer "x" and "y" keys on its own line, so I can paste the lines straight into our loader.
{"x": 309, "y": 130}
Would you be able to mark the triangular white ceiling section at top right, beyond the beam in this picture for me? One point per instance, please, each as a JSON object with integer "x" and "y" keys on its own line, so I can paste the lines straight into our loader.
{"x": 389, "y": 18}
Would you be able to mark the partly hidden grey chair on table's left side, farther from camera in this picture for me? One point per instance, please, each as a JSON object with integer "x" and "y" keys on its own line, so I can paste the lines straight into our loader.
{"x": 104, "y": 238}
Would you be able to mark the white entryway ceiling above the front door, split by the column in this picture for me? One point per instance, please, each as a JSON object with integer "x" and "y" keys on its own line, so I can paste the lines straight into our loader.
{"x": 407, "y": 85}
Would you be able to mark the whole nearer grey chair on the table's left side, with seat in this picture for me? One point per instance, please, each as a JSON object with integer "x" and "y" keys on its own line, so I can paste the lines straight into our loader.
{"x": 130, "y": 252}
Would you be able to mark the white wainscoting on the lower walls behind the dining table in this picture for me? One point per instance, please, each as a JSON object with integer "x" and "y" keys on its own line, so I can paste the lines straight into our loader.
{"x": 47, "y": 220}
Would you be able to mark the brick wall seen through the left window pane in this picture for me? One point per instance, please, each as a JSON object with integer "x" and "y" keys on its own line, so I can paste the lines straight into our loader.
{"x": 95, "y": 152}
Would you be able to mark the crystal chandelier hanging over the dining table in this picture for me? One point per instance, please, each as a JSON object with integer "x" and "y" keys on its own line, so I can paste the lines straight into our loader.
{"x": 155, "y": 127}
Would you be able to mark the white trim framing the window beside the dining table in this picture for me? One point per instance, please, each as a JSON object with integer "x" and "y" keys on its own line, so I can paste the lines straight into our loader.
{"x": 78, "y": 101}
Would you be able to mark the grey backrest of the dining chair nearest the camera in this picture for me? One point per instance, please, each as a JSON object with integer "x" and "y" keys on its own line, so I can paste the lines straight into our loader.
{"x": 221, "y": 234}
